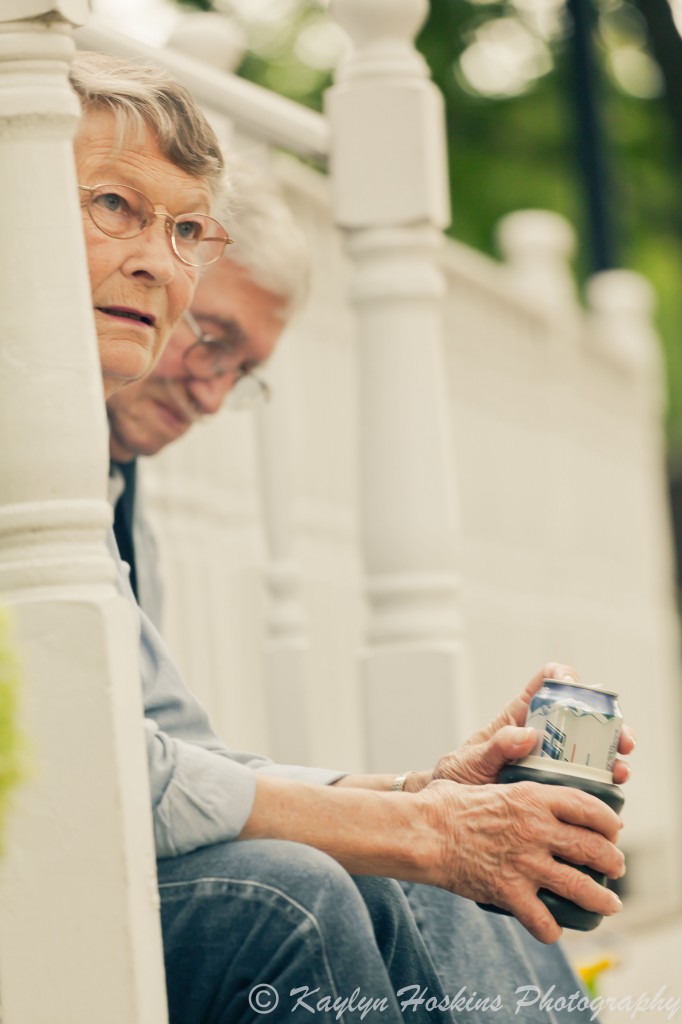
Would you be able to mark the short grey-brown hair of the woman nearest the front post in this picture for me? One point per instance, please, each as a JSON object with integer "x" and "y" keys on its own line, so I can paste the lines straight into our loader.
{"x": 143, "y": 97}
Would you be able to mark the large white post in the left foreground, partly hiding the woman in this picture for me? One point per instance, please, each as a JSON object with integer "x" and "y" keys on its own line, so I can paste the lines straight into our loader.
{"x": 79, "y": 926}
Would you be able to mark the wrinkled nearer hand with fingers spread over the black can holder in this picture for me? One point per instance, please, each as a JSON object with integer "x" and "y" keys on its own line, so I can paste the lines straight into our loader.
{"x": 499, "y": 844}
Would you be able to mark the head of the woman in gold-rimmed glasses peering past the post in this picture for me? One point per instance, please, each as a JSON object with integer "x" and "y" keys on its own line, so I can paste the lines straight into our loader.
{"x": 149, "y": 167}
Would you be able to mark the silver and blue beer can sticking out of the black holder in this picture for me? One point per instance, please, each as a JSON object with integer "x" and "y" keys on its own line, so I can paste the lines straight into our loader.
{"x": 576, "y": 724}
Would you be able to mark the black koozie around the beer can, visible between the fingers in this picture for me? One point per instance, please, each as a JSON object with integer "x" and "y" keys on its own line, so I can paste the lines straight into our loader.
{"x": 566, "y": 913}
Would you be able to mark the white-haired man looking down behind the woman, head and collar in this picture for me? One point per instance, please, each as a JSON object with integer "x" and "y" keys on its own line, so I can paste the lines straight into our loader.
{"x": 241, "y": 307}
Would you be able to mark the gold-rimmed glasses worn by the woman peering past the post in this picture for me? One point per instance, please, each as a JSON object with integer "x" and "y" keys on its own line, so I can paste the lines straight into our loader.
{"x": 123, "y": 212}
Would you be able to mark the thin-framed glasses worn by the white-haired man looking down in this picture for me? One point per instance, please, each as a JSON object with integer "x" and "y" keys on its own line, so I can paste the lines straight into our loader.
{"x": 210, "y": 358}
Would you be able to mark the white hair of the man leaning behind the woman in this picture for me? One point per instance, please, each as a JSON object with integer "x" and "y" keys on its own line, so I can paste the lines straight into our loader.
{"x": 269, "y": 243}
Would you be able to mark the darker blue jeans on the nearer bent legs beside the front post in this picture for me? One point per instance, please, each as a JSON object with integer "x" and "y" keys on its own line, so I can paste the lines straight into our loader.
{"x": 264, "y": 930}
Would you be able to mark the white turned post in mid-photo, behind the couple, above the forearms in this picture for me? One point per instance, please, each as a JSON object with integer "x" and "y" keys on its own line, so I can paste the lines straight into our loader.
{"x": 390, "y": 180}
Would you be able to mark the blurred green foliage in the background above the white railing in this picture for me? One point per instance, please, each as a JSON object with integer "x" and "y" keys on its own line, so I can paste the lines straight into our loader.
{"x": 519, "y": 151}
